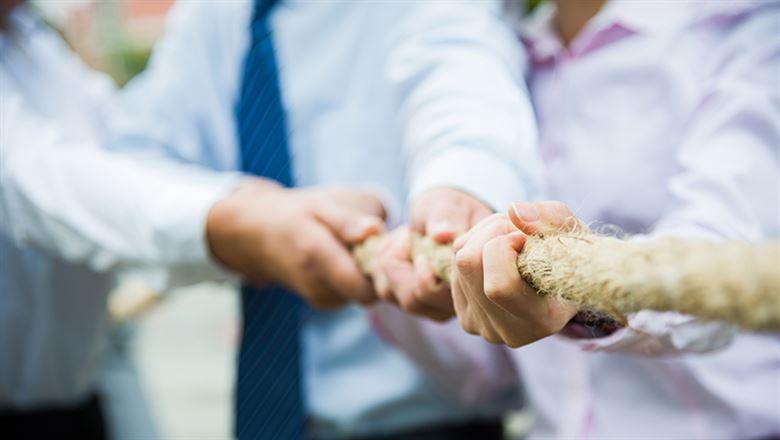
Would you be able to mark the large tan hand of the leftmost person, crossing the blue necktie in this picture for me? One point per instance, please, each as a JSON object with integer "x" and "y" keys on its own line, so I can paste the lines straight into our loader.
{"x": 297, "y": 238}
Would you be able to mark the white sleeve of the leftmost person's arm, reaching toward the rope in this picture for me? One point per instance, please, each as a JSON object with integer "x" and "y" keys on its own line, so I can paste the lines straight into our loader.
{"x": 108, "y": 210}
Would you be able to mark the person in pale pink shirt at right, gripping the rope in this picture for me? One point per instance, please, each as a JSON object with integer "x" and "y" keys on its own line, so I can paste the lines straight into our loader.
{"x": 660, "y": 118}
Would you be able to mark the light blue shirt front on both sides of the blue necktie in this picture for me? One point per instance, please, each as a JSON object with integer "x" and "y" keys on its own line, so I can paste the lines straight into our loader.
{"x": 341, "y": 121}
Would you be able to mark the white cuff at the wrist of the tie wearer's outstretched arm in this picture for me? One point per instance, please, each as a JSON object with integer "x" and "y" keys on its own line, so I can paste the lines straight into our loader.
{"x": 478, "y": 172}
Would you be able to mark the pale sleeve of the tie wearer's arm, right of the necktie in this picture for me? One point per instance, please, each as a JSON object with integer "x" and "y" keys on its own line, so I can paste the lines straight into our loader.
{"x": 465, "y": 118}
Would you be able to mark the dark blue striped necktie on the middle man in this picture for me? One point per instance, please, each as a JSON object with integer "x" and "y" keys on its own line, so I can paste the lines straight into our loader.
{"x": 269, "y": 402}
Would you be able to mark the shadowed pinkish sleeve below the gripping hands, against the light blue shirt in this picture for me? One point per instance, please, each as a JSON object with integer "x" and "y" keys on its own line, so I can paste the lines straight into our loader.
{"x": 471, "y": 371}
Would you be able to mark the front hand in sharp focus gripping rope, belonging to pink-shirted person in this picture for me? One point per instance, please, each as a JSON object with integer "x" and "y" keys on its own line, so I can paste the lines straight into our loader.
{"x": 490, "y": 297}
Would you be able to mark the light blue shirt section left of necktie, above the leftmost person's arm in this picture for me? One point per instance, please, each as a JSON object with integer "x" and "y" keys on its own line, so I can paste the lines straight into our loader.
{"x": 182, "y": 105}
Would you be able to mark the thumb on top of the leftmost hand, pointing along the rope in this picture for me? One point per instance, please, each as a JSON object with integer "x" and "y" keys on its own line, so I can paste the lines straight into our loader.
{"x": 349, "y": 226}
